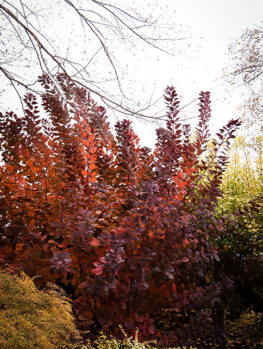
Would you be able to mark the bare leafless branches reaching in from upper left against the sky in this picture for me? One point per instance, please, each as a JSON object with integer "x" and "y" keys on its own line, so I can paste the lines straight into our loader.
{"x": 110, "y": 18}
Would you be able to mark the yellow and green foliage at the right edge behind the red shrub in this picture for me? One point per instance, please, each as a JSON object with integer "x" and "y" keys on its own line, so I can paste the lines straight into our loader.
{"x": 242, "y": 188}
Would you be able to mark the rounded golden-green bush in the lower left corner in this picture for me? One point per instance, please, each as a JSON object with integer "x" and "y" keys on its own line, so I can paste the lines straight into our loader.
{"x": 30, "y": 318}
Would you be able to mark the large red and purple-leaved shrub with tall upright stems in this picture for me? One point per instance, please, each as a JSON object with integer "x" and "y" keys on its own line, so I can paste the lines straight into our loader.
{"x": 126, "y": 231}
